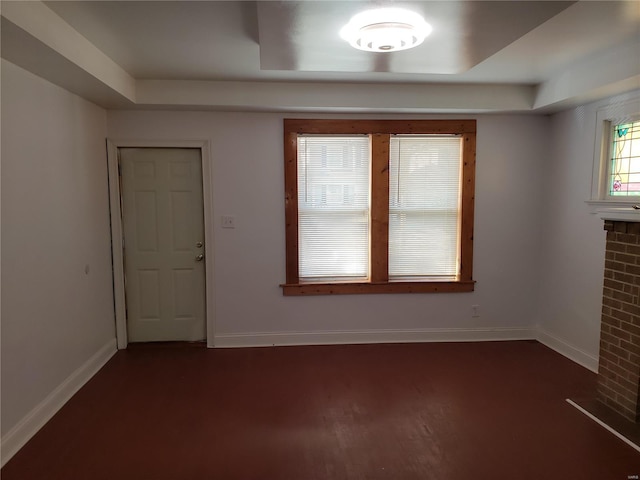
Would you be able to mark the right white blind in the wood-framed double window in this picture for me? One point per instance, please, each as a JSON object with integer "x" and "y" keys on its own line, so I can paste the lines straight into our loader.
{"x": 424, "y": 206}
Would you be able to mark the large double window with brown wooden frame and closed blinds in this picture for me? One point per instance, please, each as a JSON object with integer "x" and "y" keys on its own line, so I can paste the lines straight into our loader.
{"x": 379, "y": 206}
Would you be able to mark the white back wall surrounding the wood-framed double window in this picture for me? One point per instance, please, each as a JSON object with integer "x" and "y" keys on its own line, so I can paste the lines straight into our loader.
{"x": 250, "y": 260}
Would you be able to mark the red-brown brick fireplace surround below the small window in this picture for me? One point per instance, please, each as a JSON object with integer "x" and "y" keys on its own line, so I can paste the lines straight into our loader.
{"x": 619, "y": 370}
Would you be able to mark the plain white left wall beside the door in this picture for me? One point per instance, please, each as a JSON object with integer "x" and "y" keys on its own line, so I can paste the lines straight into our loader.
{"x": 55, "y": 223}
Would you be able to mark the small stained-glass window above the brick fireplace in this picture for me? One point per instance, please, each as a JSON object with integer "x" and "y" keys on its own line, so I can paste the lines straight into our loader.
{"x": 624, "y": 160}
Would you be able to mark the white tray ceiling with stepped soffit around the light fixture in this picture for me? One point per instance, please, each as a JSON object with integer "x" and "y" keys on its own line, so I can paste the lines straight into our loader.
{"x": 518, "y": 55}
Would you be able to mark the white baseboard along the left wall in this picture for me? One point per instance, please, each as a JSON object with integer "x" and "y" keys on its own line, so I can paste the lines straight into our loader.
{"x": 15, "y": 438}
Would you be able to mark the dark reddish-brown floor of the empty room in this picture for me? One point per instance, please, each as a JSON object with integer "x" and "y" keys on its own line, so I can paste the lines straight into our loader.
{"x": 401, "y": 411}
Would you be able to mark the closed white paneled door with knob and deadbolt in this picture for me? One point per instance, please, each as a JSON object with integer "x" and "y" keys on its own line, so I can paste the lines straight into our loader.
{"x": 163, "y": 230}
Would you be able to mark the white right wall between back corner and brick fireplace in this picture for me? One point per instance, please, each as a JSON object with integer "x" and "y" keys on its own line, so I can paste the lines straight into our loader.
{"x": 572, "y": 255}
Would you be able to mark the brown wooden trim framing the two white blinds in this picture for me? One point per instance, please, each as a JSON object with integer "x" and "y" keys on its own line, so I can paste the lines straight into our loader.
{"x": 379, "y": 131}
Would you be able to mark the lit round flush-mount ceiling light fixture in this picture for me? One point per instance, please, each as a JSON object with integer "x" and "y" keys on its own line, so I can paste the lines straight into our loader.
{"x": 386, "y": 30}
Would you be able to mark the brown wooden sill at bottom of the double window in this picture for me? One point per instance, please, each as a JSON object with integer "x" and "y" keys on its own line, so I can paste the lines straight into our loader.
{"x": 382, "y": 287}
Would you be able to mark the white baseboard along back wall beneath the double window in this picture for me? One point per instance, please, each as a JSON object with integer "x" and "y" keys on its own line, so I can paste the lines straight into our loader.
{"x": 373, "y": 336}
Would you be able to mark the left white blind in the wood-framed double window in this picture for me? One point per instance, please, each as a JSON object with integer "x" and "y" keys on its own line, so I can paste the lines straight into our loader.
{"x": 333, "y": 207}
